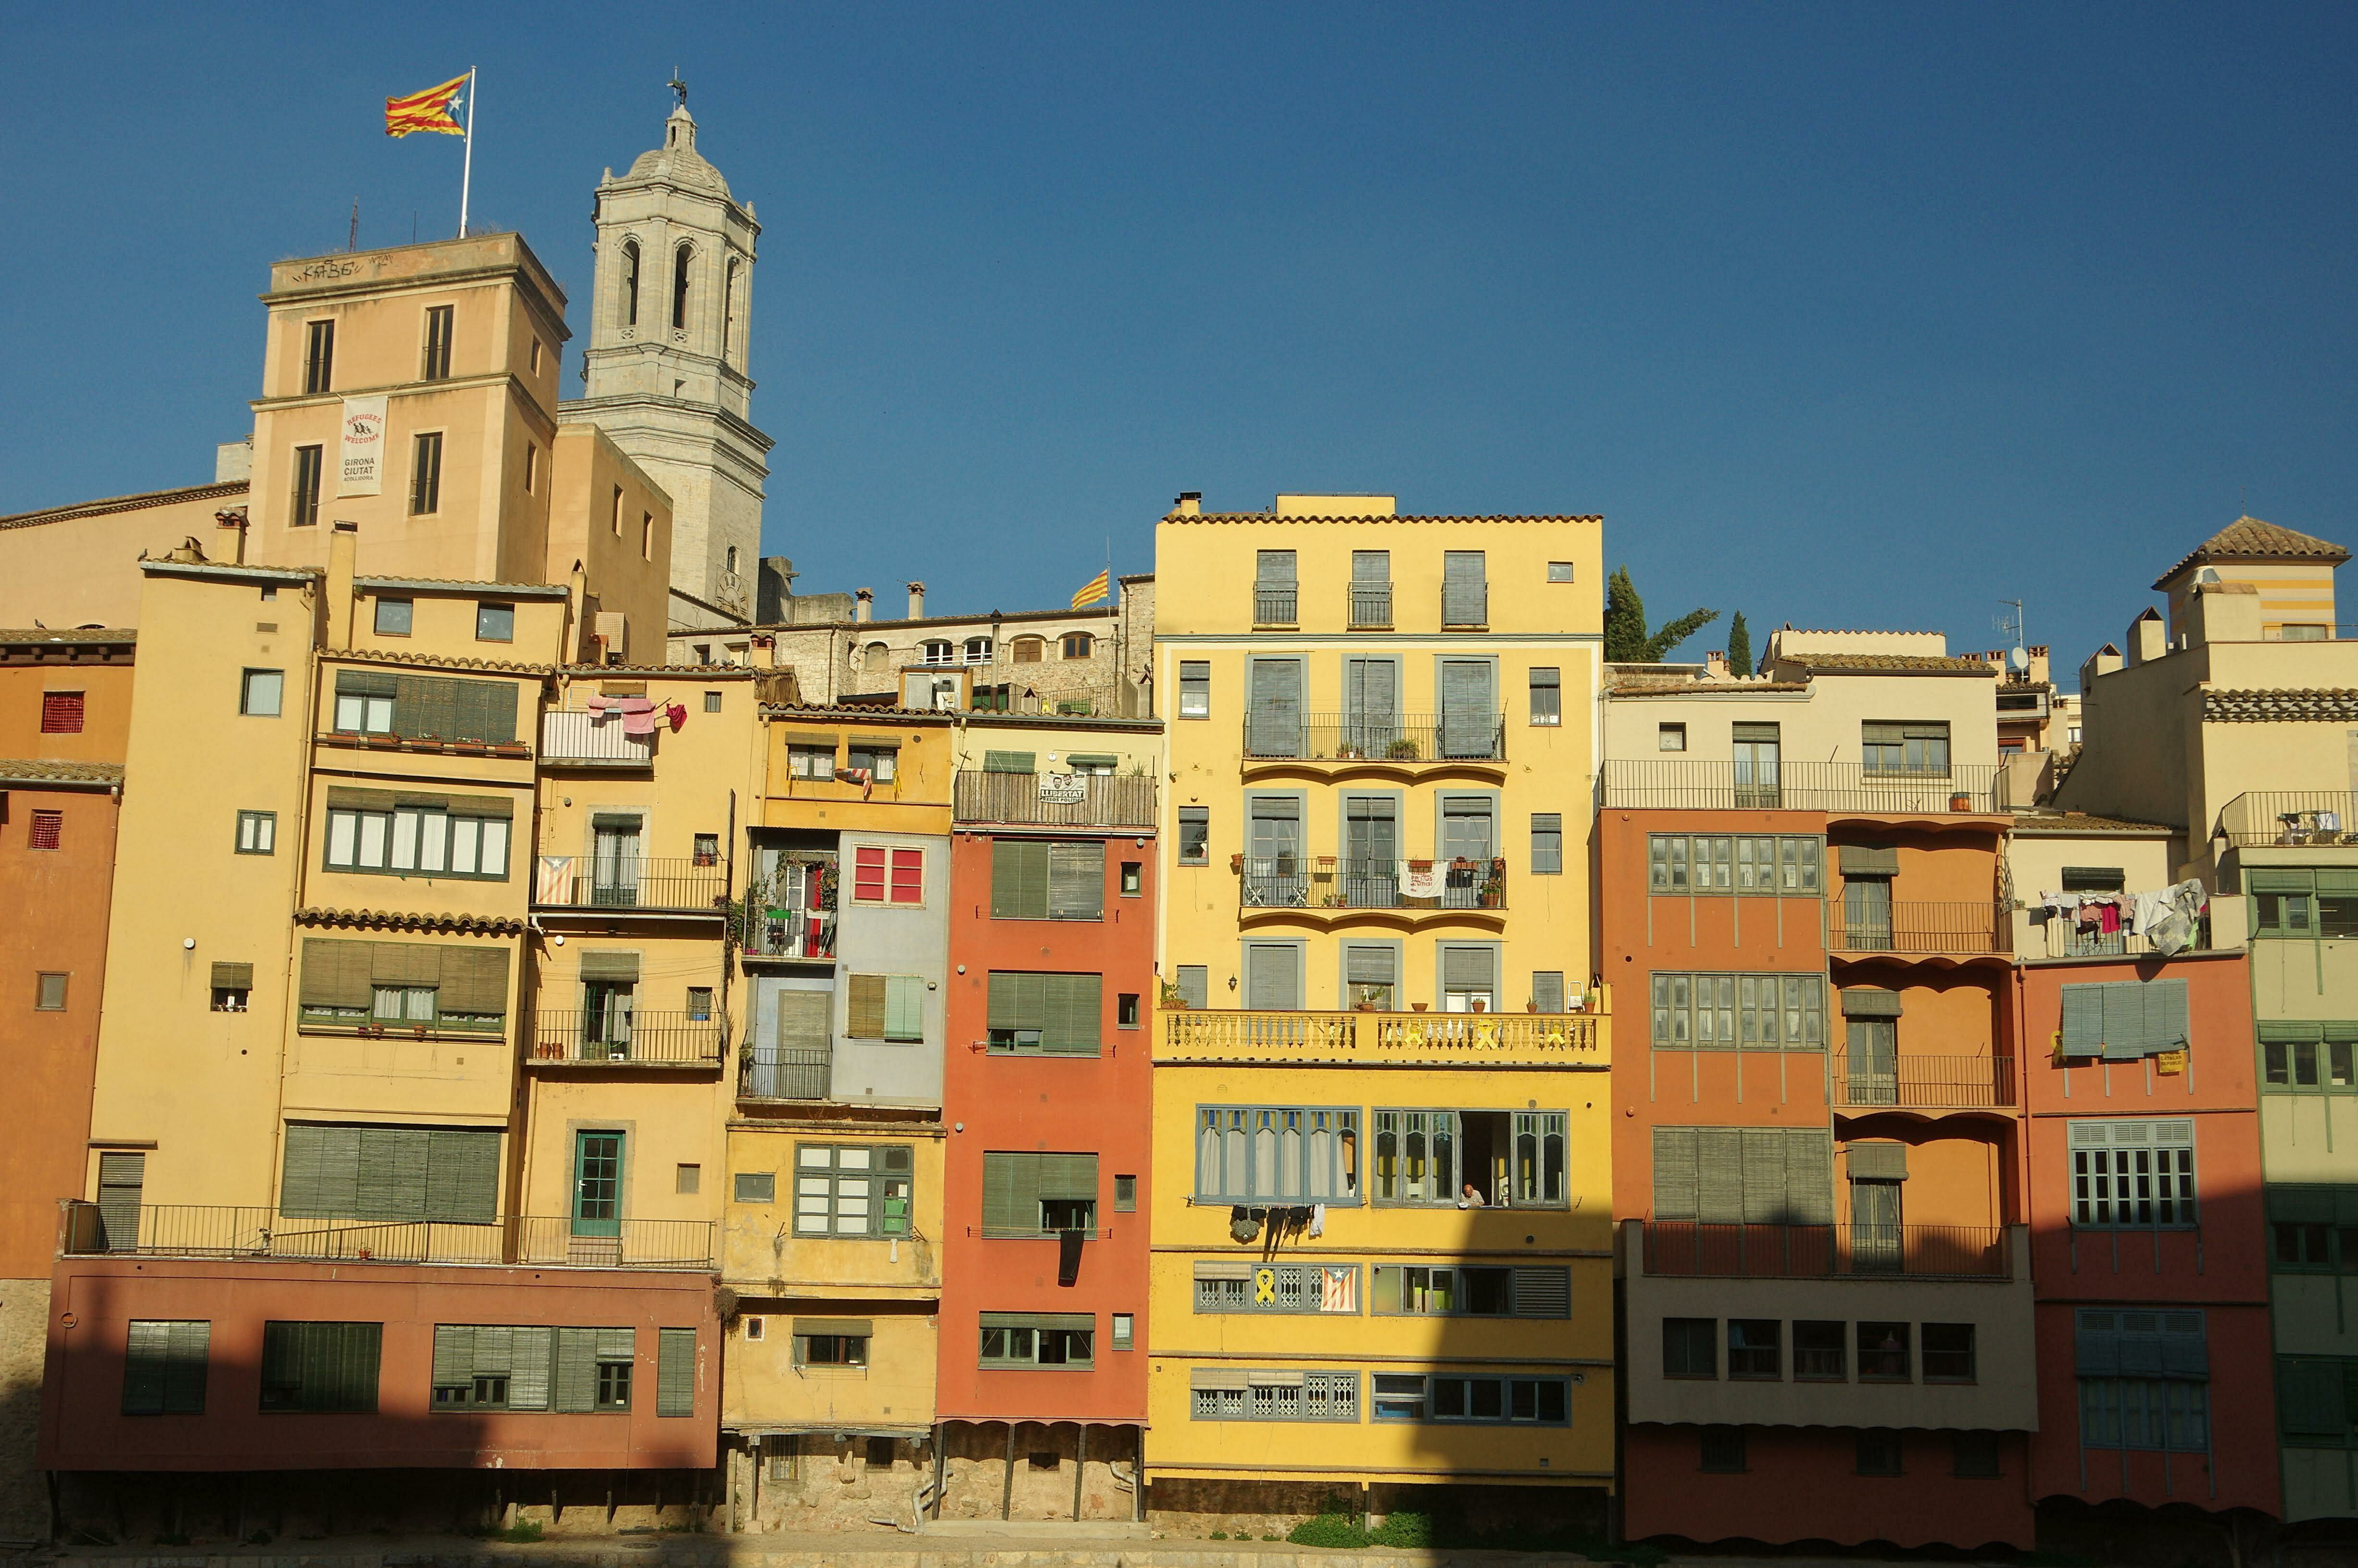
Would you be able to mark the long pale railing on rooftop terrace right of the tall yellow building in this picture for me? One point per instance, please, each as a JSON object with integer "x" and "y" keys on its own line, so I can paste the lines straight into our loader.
{"x": 1645, "y": 784}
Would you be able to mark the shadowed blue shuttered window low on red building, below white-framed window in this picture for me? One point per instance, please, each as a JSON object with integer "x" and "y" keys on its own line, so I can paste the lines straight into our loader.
{"x": 2145, "y": 1381}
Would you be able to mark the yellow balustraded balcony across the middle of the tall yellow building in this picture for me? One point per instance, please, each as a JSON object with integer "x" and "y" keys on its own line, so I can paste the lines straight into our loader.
{"x": 1366, "y": 1039}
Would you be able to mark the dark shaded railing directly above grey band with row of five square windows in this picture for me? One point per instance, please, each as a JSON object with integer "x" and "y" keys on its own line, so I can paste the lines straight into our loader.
{"x": 1779, "y": 1251}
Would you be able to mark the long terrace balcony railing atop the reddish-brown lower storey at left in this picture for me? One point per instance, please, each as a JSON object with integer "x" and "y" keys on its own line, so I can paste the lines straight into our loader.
{"x": 263, "y": 1234}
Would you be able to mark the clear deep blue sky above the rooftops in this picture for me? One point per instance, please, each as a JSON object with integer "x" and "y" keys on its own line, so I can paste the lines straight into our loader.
{"x": 1859, "y": 317}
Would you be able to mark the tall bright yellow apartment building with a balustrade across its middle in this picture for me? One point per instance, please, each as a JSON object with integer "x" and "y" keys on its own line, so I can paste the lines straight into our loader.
{"x": 1383, "y": 1182}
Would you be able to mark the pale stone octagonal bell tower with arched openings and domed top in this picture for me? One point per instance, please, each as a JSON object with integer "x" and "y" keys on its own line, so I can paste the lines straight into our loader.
{"x": 671, "y": 322}
